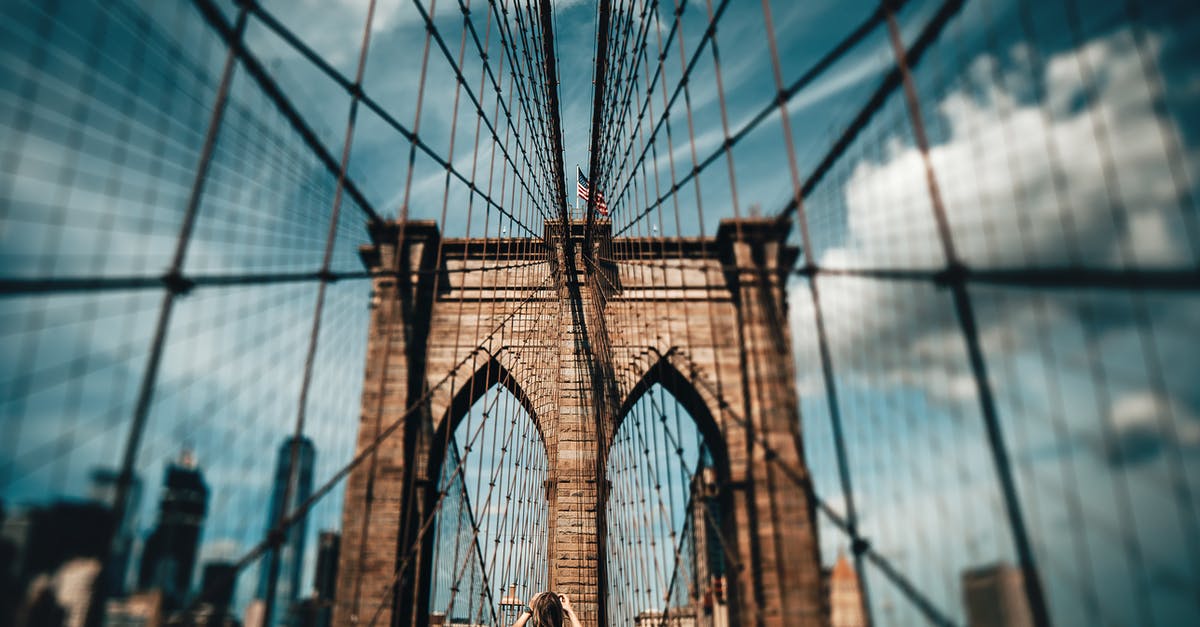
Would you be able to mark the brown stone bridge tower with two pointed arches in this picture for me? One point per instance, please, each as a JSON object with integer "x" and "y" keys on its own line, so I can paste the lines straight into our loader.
{"x": 721, "y": 345}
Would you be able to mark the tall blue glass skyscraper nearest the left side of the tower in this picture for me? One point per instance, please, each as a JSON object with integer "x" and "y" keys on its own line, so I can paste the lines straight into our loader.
{"x": 284, "y": 588}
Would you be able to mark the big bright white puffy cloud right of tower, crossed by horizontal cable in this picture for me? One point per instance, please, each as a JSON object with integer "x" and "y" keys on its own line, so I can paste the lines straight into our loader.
{"x": 1001, "y": 202}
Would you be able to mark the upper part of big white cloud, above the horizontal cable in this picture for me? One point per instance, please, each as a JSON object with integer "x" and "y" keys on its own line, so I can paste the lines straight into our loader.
{"x": 999, "y": 184}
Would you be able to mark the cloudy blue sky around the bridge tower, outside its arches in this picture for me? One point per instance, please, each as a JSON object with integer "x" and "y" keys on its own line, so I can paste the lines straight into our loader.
{"x": 1061, "y": 135}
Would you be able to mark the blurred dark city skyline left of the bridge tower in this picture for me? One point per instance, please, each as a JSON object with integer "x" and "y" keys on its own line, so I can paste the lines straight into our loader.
{"x": 176, "y": 536}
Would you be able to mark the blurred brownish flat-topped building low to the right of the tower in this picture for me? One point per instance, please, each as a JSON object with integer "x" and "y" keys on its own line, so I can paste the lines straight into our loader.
{"x": 995, "y": 598}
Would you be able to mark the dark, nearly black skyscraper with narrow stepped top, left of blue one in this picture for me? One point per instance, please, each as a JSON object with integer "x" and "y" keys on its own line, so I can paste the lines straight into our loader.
{"x": 170, "y": 554}
